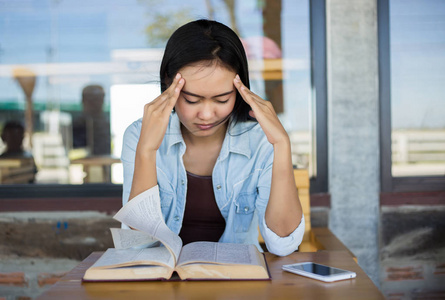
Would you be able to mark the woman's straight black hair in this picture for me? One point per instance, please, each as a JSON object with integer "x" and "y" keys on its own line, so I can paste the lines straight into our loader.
{"x": 207, "y": 41}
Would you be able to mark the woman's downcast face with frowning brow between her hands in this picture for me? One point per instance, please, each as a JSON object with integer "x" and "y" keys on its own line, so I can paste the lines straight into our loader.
{"x": 206, "y": 100}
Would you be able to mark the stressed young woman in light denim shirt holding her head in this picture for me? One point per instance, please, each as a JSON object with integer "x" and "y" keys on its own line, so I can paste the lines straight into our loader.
{"x": 217, "y": 151}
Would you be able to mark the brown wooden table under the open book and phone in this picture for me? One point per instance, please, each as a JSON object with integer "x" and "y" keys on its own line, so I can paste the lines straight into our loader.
{"x": 283, "y": 285}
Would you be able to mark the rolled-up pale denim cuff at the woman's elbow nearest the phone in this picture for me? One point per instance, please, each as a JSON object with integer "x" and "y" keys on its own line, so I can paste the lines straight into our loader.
{"x": 283, "y": 246}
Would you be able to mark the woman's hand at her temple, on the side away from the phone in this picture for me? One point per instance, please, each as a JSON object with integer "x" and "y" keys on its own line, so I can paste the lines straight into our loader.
{"x": 156, "y": 117}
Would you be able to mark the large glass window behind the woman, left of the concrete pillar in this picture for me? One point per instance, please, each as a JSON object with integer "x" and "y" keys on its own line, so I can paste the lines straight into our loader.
{"x": 75, "y": 74}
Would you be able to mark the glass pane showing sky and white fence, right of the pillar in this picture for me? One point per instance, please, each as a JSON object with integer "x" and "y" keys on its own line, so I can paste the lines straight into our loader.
{"x": 417, "y": 54}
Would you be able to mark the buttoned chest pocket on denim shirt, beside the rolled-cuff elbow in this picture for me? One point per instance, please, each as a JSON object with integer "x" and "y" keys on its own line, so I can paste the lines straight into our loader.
{"x": 244, "y": 211}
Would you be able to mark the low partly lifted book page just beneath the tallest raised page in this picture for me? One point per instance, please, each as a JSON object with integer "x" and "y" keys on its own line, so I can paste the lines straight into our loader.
{"x": 135, "y": 239}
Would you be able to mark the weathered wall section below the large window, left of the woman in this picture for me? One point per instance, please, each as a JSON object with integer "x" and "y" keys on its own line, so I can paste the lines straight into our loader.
{"x": 36, "y": 249}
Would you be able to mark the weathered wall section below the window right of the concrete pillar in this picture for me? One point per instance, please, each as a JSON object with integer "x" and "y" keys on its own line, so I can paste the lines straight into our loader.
{"x": 412, "y": 254}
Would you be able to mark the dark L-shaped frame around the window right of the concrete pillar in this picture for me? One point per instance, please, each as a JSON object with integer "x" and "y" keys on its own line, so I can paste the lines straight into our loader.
{"x": 390, "y": 183}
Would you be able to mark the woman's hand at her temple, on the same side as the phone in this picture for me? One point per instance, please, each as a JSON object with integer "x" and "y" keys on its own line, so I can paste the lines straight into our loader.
{"x": 264, "y": 113}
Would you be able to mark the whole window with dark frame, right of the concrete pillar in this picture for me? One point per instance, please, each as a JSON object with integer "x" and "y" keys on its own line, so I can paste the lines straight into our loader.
{"x": 412, "y": 72}
